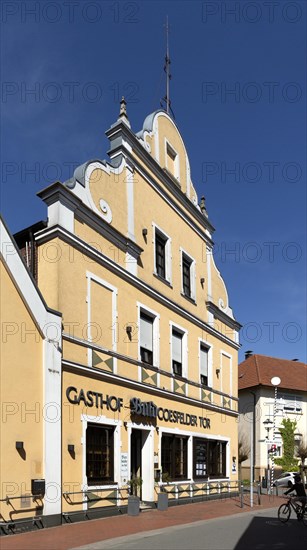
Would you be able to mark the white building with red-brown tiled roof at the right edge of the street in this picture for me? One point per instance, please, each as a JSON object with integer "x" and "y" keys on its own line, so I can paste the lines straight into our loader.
{"x": 256, "y": 405}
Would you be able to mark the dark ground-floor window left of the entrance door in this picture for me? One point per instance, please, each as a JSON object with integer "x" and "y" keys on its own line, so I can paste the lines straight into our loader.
{"x": 99, "y": 454}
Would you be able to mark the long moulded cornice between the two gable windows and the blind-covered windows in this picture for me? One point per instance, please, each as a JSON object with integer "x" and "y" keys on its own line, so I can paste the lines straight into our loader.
{"x": 58, "y": 232}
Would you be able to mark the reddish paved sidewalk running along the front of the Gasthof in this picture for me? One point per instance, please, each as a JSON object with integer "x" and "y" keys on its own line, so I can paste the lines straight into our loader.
{"x": 69, "y": 536}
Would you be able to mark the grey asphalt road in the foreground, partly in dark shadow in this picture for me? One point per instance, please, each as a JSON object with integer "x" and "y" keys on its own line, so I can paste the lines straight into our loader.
{"x": 252, "y": 530}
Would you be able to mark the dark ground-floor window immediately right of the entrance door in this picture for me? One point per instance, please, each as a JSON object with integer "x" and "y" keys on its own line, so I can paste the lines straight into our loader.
{"x": 174, "y": 457}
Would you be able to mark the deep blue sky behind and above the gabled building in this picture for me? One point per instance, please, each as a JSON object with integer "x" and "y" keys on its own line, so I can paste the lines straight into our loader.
{"x": 238, "y": 92}
